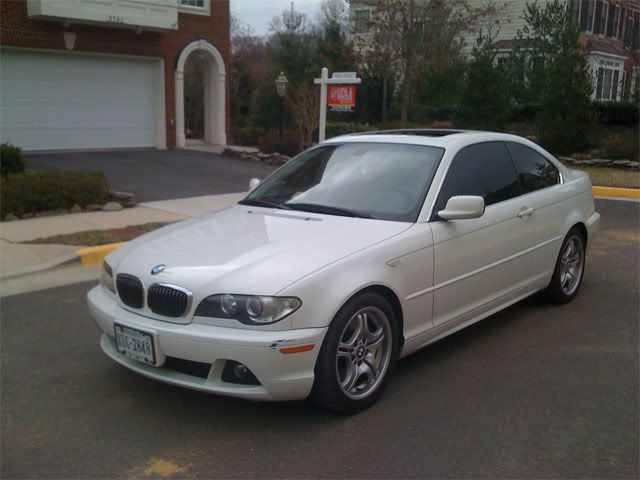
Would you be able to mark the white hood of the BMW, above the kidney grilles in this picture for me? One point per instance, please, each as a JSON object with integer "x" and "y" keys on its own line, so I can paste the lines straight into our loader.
{"x": 246, "y": 249}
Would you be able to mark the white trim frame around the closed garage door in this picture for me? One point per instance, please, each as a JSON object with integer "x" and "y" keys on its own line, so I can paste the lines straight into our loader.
{"x": 160, "y": 92}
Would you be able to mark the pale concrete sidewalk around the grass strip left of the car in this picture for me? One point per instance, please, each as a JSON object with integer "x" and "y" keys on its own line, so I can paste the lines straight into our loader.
{"x": 20, "y": 259}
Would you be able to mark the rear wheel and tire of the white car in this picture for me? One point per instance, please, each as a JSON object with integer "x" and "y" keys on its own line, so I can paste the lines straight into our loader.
{"x": 562, "y": 289}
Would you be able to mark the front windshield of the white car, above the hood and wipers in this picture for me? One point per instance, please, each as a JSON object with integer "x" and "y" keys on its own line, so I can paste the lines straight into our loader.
{"x": 373, "y": 180}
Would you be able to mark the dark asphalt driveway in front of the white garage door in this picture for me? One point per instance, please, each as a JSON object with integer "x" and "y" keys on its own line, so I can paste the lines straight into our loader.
{"x": 158, "y": 174}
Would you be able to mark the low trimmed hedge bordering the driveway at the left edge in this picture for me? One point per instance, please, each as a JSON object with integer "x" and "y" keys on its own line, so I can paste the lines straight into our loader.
{"x": 33, "y": 192}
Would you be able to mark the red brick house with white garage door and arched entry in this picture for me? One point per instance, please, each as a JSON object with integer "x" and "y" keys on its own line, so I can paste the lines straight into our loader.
{"x": 86, "y": 74}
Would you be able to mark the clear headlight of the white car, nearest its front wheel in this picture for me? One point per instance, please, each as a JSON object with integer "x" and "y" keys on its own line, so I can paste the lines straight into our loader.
{"x": 249, "y": 309}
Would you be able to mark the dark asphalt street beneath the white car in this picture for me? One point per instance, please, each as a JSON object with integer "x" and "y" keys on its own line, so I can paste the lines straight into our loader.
{"x": 535, "y": 391}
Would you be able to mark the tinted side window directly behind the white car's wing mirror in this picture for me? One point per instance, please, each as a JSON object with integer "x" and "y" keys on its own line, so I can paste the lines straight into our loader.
{"x": 484, "y": 169}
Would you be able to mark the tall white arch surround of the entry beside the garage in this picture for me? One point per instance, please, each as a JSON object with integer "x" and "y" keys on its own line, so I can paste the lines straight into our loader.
{"x": 214, "y": 94}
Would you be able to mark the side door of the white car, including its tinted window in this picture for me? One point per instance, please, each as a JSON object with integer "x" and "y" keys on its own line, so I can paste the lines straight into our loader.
{"x": 483, "y": 262}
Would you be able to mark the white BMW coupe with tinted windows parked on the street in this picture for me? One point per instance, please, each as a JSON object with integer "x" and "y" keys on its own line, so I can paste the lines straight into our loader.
{"x": 357, "y": 252}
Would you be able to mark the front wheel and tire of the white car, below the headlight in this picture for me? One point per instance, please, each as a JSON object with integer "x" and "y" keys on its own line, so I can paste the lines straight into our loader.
{"x": 352, "y": 379}
